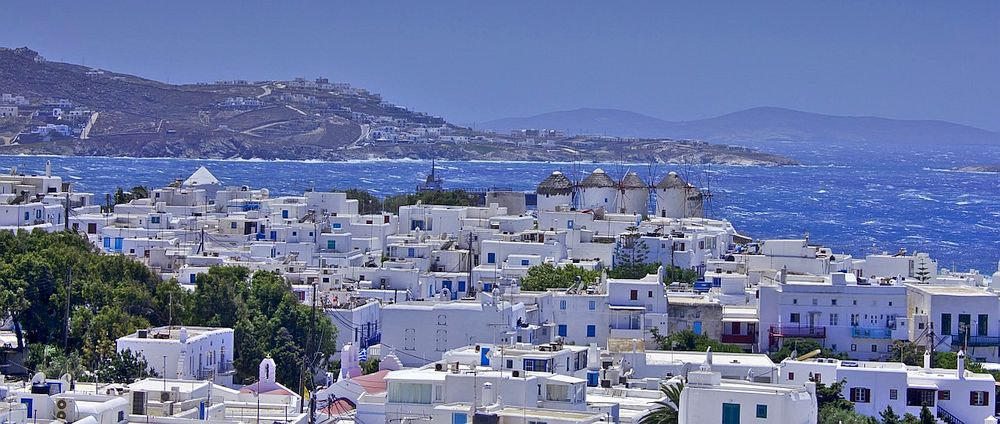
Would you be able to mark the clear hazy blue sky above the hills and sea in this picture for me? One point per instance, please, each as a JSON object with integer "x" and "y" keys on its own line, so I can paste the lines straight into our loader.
{"x": 475, "y": 61}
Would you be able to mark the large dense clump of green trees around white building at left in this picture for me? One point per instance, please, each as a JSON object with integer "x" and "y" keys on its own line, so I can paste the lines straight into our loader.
{"x": 110, "y": 296}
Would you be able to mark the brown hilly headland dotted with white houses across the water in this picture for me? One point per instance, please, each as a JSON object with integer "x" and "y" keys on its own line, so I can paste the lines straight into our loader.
{"x": 66, "y": 109}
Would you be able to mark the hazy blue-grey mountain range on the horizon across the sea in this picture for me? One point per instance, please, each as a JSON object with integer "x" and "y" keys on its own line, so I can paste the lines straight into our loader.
{"x": 760, "y": 124}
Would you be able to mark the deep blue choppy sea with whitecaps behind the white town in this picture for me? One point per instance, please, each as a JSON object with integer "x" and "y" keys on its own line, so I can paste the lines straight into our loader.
{"x": 854, "y": 198}
